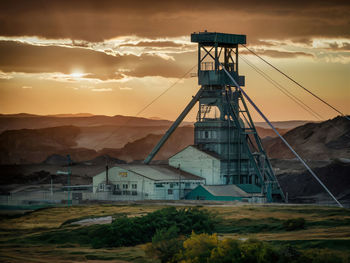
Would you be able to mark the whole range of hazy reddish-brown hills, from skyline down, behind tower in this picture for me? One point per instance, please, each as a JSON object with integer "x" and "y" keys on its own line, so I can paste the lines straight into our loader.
{"x": 23, "y": 145}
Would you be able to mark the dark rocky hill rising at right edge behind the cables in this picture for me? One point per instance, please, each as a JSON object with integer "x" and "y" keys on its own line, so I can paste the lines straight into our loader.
{"x": 316, "y": 141}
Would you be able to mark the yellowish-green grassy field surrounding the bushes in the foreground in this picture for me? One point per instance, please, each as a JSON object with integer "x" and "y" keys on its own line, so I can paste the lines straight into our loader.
{"x": 325, "y": 227}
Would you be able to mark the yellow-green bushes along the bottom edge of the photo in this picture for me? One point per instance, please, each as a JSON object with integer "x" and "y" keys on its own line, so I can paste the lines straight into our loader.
{"x": 210, "y": 249}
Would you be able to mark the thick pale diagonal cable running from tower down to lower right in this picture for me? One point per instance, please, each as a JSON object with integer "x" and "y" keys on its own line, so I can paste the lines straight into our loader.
{"x": 279, "y": 135}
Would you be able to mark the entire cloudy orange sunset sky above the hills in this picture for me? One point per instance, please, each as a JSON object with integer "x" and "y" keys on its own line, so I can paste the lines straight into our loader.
{"x": 115, "y": 57}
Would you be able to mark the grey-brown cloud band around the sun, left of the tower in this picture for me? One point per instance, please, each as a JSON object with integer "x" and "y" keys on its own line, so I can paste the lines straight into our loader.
{"x": 18, "y": 57}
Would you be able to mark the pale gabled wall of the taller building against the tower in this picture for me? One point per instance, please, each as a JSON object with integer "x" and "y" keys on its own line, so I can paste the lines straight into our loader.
{"x": 199, "y": 163}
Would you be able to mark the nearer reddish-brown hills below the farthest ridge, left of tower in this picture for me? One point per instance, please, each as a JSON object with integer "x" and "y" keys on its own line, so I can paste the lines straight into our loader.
{"x": 84, "y": 143}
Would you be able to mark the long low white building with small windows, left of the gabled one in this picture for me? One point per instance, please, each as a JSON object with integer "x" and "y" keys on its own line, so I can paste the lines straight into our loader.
{"x": 144, "y": 182}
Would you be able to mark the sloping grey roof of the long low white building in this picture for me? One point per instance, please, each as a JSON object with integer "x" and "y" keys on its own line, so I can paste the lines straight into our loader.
{"x": 159, "y": 172}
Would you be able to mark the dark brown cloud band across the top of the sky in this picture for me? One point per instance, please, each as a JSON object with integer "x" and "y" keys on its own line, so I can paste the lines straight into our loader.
{"x": 103, "y": 19}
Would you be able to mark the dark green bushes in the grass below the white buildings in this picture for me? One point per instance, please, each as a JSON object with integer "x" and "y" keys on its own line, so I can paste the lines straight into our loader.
{"x": 126, "y": 231}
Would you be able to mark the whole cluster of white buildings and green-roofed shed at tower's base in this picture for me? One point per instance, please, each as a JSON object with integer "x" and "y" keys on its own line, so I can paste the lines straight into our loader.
{"x": 187, "y": 170}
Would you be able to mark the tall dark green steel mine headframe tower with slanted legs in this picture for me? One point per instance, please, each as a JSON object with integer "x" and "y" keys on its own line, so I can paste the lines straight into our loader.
{"x": 224, "y": 125}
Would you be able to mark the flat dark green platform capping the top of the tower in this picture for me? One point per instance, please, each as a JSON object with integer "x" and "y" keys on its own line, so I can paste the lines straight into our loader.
{"x": 210, "y": 38}
